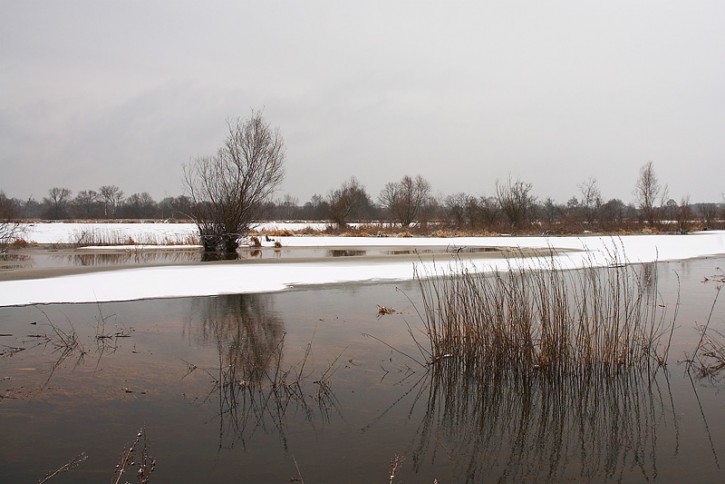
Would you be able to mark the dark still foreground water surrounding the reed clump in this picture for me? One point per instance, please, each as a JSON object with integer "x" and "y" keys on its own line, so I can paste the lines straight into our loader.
{"x": 316, "y": 385}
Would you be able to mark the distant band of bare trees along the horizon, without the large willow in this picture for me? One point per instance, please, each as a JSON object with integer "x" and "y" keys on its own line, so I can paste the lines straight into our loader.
{"x": 511, "y": 208}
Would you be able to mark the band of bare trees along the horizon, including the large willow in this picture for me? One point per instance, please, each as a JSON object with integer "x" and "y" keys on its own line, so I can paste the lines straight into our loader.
{"x": 230, "y": 190}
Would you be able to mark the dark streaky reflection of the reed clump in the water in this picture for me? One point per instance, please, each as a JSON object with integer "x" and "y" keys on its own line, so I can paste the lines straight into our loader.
{"x": 555, "y": 429}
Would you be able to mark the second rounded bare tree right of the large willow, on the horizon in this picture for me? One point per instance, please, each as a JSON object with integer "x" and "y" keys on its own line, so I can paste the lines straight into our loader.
{"x": 406, "y": 198}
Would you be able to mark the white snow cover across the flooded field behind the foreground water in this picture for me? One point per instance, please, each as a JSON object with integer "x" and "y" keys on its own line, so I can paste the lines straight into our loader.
{"x": 215, "y": 279}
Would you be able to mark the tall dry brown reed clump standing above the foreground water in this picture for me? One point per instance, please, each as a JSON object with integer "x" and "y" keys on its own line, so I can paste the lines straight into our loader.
{"x": 538, "y": 320}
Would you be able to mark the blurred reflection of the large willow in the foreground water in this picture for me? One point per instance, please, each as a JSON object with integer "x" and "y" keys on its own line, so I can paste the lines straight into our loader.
{"x": 254, "y": 392}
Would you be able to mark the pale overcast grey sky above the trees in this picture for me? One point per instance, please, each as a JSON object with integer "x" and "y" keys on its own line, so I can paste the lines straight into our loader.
{"x": 125, "y": 92}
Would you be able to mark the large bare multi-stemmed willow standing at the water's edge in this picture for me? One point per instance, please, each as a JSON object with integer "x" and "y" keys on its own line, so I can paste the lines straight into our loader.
{"x": 228, "y": 189}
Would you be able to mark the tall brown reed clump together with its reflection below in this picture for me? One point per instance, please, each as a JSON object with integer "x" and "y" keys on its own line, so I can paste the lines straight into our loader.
{"x": 546, "y": 375}
